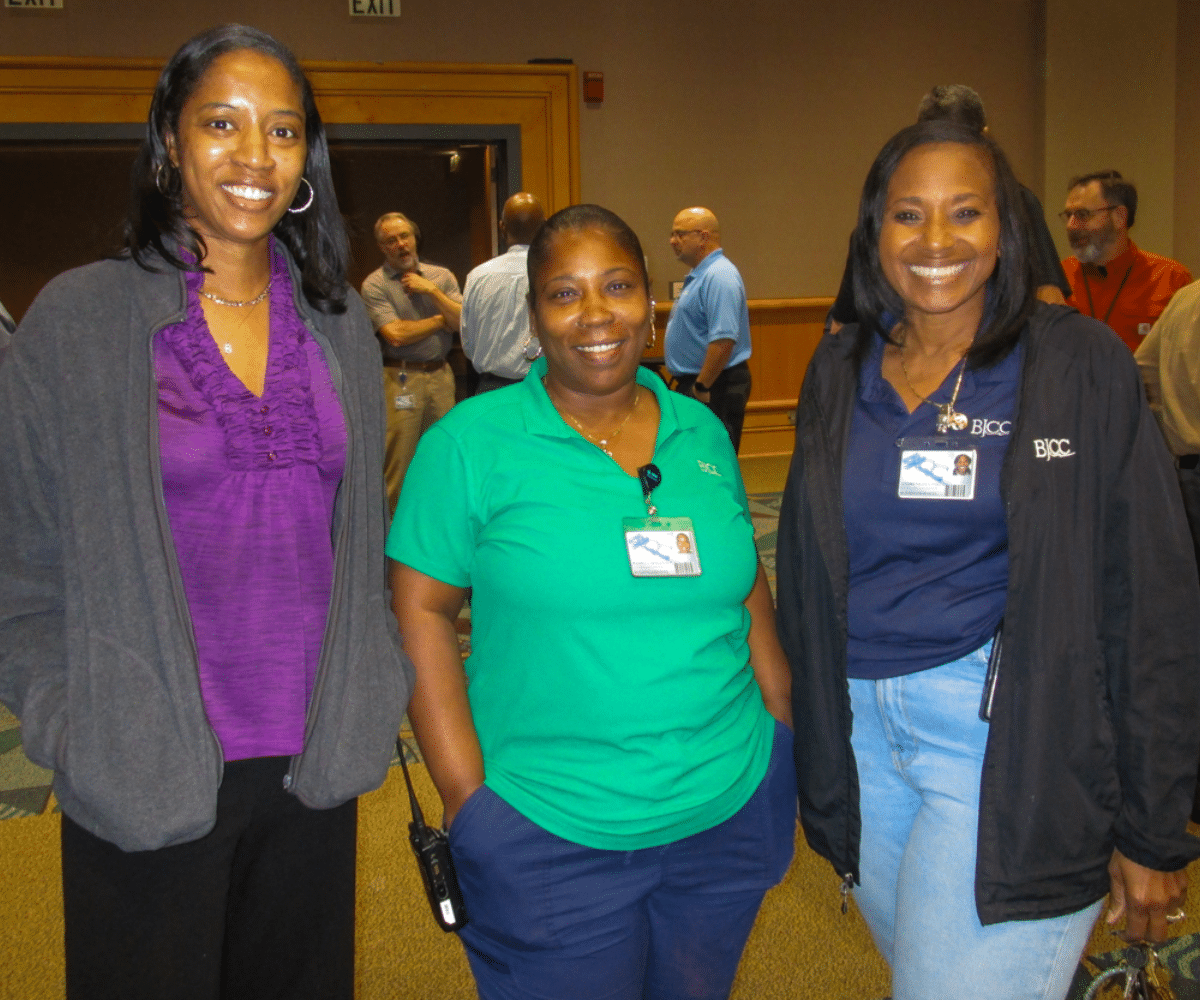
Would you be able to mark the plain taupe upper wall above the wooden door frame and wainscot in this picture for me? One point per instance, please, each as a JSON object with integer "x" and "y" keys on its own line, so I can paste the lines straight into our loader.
{"x": 766, "y": 111}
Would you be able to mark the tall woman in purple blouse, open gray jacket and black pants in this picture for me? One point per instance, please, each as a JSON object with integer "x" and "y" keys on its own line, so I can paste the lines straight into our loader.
{"x": 194, "y": 621}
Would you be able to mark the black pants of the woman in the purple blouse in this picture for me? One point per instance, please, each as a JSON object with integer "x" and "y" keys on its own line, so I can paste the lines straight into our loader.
{"x": 262, "y": 908}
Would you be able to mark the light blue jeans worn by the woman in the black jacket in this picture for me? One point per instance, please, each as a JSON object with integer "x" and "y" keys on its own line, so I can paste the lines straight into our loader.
{"x": 920, "y": 746}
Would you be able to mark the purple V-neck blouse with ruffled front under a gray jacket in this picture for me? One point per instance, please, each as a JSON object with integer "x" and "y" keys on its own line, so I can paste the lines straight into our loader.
{"x": 250, "y": 483}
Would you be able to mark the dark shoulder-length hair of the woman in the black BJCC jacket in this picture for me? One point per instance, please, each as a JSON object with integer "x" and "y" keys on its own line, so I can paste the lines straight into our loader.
{"x": 1011, "y": 289}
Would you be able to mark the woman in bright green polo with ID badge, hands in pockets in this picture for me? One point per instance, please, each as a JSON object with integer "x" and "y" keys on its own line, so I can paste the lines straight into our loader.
{"x": 616, "y": 758}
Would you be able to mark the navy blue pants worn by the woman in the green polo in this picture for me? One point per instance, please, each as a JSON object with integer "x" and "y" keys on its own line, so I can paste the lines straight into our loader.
{"x": 557, "y": 921}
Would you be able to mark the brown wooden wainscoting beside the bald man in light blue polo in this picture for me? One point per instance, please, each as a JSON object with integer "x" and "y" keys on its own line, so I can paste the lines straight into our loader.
{"x": 784, "y": 333}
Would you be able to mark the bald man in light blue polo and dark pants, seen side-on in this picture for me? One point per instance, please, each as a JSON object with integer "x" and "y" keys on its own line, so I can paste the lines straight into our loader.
{"x": 709, "y": 333}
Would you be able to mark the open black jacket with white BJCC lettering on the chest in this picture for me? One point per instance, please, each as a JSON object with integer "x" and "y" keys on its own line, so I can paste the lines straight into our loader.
{"x": 1096, "y": 723}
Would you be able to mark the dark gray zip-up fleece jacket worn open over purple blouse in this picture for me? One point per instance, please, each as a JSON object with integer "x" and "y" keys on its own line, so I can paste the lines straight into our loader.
{"x": 98, "y": 656}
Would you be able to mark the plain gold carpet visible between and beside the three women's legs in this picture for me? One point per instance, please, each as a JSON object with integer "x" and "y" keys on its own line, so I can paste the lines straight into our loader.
{"x": 802, "y": 945}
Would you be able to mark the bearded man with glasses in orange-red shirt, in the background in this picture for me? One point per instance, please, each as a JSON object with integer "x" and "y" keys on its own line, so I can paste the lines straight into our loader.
{"x": 1111, "y": 277}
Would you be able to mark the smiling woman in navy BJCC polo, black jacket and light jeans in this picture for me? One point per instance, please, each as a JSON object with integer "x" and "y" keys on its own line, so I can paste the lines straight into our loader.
{"x": 985, "y": 596}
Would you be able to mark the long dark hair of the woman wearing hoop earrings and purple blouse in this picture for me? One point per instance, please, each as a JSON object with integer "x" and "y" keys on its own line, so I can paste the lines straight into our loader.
{"x": 316, "y": 237}
